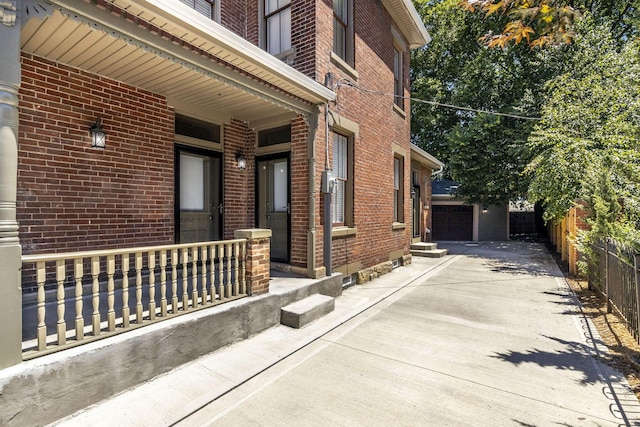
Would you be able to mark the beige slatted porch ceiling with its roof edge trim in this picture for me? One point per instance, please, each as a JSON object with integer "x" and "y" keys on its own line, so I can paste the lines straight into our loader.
{"x": 193, "y": 71}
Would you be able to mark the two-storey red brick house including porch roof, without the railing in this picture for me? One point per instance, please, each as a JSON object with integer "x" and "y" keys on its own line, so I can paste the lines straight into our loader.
{"x": 218, "y": 115}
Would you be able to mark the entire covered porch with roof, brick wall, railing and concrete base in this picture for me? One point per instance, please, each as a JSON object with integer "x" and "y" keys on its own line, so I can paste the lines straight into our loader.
{"x": 97, "y": 229}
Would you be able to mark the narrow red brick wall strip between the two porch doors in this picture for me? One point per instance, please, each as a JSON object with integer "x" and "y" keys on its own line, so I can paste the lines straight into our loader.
{"x": 239, "y": 185}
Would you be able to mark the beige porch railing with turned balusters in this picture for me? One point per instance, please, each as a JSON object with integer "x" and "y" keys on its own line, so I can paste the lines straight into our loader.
{"x": 84, "y": 296}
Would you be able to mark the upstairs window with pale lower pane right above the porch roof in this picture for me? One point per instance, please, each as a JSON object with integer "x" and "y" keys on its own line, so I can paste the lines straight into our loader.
{"x": 277, "y": 17}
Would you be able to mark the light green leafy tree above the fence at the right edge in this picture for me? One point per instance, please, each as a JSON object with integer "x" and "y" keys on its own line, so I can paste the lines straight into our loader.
{"x": 588, "y": 141}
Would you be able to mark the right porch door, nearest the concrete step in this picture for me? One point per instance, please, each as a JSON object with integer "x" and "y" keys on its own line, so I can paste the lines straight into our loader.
{"x": 273, "y": 204}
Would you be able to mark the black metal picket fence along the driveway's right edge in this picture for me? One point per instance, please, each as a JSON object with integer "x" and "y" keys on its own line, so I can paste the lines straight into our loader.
{"x": 614, "y": 272}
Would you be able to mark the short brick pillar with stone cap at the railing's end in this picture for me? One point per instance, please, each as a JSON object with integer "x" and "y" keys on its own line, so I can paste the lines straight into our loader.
{"x": 258, "y": 259}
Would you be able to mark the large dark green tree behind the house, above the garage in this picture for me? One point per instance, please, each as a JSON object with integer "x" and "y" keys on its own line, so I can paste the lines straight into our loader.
{"x": 486, "y": 154}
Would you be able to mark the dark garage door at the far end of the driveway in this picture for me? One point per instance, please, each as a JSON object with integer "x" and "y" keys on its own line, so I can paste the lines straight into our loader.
{"x": 452, "y": 223}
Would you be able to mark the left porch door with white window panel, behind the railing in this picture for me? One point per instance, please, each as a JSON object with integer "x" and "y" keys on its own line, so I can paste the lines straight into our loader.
{"x": 199, "y": 201}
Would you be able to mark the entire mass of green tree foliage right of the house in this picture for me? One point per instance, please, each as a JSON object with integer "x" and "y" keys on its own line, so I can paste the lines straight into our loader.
{"x": 587, "y": 95}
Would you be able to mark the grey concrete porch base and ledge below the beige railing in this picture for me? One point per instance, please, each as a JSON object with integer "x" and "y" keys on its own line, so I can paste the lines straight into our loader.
{"x": 64, "y": 382}
